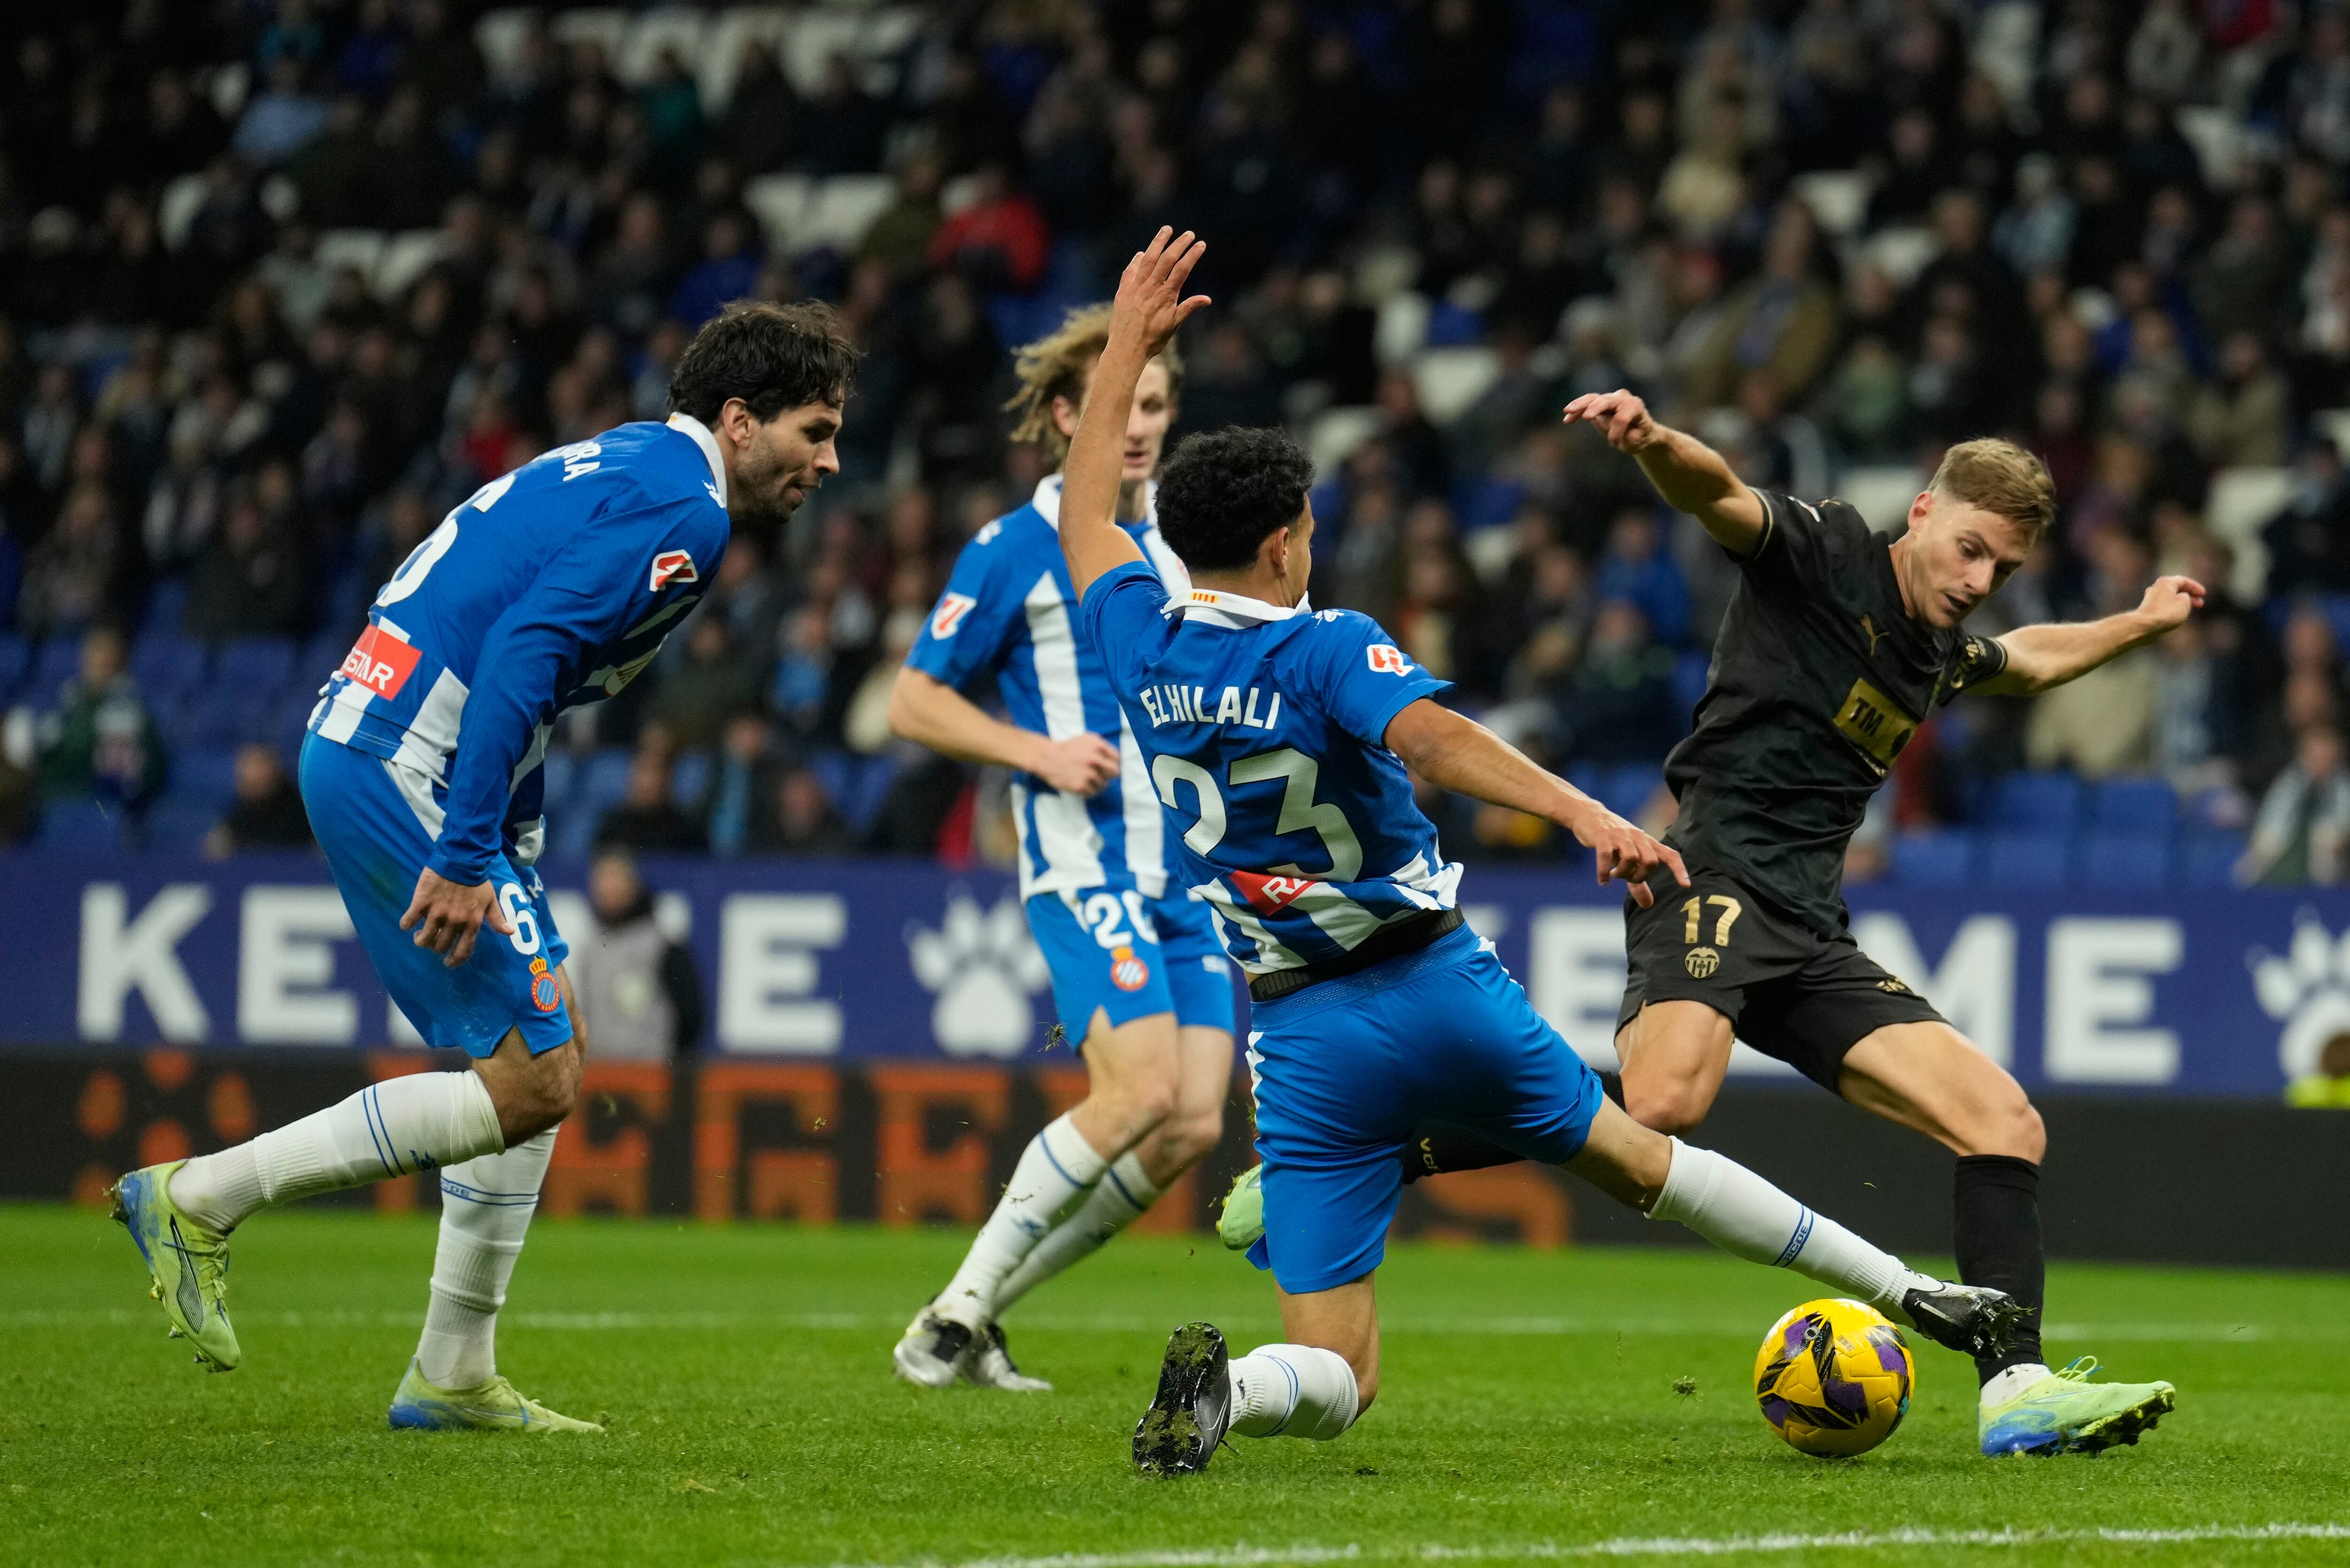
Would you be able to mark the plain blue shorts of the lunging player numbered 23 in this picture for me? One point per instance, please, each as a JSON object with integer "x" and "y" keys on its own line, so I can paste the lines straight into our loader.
{"x": 1345, "y": 1073}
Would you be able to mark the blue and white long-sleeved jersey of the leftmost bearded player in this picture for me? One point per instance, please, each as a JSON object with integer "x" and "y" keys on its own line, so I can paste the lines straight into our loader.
{"x": 546, "y": 591}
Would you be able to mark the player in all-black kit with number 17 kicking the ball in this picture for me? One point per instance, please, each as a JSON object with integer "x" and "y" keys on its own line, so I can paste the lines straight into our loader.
{"x": 1837, "y": 648}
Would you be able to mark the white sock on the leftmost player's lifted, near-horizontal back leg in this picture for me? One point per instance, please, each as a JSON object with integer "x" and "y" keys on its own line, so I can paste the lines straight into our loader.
{"x": 389, "y": 1130}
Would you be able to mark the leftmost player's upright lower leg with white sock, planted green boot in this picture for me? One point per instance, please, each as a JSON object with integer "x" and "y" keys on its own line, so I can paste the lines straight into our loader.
{"x": 452, "y": 1383}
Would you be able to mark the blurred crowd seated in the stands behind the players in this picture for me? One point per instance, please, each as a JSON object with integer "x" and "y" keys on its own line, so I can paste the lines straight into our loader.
{"x": 281, "y": 283}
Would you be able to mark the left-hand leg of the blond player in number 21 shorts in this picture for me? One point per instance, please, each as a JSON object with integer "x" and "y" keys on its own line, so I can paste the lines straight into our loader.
{"x": 1134, "y": 1090}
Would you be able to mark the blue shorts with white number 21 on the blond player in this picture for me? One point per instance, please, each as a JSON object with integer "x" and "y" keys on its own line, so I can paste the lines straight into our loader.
{"x": 1132, "y": 958}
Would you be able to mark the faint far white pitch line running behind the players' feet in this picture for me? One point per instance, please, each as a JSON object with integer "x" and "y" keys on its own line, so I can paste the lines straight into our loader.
{"x": 1498, "y": 1327}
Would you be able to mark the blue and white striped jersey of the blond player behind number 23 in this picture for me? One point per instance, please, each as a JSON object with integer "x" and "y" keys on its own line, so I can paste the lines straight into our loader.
{"x": 1009, "y": 608}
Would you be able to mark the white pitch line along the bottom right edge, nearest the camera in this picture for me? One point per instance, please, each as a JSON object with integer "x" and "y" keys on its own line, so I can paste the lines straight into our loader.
{"x": 1646, "y": 1546}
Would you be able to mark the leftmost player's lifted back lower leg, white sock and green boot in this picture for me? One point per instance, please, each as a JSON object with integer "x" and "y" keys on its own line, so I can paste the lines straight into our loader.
{"x": 180, "y": 1214}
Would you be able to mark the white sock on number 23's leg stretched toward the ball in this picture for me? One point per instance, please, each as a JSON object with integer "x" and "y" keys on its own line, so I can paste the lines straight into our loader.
{"x": 1750, "y": 1219}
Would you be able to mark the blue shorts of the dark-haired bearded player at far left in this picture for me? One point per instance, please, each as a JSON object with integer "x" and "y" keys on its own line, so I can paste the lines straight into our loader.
{"x": 377, "y": 840}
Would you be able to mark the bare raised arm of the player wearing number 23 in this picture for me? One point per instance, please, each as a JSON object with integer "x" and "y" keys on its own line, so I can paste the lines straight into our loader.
{"x": 1146, "y": 314}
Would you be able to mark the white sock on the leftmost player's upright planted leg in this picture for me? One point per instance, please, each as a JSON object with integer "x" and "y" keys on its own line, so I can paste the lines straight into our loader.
{"x": 488, "y": 1205}
